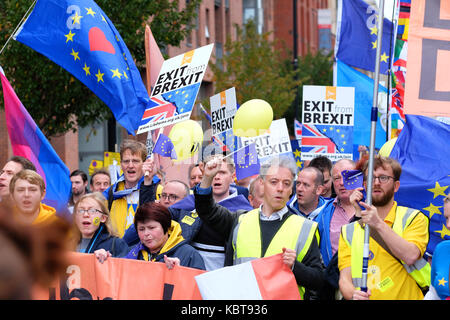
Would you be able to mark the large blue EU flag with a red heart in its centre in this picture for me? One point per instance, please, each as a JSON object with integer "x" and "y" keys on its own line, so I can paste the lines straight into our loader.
{"x": 78, "y": 36}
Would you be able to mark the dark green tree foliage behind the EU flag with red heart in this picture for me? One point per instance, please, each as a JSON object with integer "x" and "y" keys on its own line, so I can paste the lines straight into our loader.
{"x": 54, "y": 98}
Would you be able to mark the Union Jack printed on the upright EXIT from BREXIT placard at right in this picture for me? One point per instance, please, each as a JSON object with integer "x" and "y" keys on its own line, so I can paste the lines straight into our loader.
{"x": 314, "y": 141}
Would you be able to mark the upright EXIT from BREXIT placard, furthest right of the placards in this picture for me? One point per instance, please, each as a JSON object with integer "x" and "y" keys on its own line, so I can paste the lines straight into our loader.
{"x": 328, "y": 115}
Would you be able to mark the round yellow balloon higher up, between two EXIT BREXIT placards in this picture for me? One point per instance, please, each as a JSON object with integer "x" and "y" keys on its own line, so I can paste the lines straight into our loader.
{"x": 253, "y": 118}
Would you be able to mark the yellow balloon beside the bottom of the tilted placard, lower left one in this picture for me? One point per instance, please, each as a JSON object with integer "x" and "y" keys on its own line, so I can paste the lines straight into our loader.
{"x": 187, "y": 138}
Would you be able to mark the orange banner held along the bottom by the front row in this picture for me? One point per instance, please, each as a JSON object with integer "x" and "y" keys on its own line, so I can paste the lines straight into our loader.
{"x": 122, "y": 279}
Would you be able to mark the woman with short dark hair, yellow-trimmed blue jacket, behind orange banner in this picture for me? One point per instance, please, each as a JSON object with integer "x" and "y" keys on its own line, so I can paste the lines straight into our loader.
{"x": 161, "y": 240}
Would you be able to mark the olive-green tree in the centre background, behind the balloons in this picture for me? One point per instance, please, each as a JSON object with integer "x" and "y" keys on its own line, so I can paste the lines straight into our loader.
{"x": 256, "y": 70}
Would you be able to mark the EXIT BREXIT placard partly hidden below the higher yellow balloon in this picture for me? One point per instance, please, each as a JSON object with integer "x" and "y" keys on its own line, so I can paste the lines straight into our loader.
{"x": 274, "y": 143}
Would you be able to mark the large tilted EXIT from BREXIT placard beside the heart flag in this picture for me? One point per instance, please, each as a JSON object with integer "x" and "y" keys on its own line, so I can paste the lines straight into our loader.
{"x": 175, "y": 91}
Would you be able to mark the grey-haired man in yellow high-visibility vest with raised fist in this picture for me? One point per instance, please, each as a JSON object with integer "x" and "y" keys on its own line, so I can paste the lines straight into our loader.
{"x": 267, "y": 230}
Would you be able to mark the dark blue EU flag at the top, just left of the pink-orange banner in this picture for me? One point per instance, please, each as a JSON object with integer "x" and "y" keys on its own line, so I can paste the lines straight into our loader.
{"x": 356, "y": 38}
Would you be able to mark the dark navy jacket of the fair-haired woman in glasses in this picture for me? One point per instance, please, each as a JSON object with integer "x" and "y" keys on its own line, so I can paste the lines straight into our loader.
{"x": 103, "y": 240}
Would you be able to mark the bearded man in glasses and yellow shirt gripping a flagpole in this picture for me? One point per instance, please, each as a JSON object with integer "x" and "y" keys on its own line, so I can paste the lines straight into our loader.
{"x": 398, "y": 239}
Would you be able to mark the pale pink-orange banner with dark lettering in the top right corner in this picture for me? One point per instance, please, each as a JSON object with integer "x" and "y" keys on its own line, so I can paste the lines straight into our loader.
{"x": 427, "y": 90}
